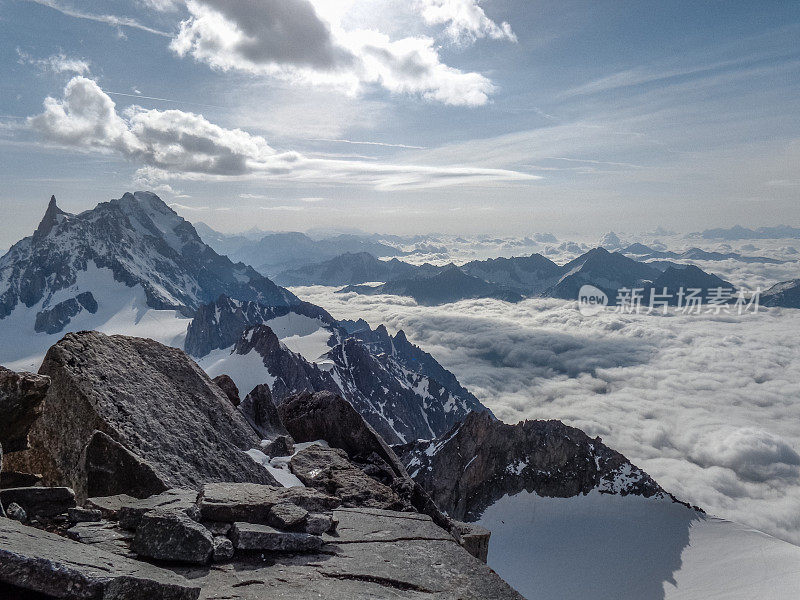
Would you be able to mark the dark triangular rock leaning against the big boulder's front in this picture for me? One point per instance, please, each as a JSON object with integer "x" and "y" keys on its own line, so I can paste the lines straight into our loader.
{"x": 113, "y": 469}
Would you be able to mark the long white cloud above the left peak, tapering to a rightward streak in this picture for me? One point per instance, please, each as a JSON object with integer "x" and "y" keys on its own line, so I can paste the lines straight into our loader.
{"x": 172, "y": 144}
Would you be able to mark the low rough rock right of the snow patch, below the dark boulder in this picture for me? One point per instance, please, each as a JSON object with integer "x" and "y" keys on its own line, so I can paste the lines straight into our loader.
{"x": 330, "y": 471}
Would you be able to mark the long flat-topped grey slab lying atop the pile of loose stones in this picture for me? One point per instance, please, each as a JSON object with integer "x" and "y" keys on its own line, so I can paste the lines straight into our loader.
{"x": 251, "y": 503}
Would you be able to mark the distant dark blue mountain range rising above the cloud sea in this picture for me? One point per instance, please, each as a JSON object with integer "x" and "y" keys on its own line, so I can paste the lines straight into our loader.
{"x": 509, "y": 279}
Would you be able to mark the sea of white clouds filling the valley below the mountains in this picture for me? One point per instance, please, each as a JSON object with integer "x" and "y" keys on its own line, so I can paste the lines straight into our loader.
{"x": 708, "y": 404}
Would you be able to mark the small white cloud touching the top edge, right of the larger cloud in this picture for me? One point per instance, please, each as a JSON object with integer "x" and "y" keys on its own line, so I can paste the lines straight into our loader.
{"x": 465, "y": 20}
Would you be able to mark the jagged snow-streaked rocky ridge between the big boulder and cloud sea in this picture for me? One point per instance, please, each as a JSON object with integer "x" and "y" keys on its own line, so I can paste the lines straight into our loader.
{"x": 398, "y": 388}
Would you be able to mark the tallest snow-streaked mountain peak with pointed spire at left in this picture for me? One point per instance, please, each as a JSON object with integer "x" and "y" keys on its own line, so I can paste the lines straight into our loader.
{"x": 143, "y": 242}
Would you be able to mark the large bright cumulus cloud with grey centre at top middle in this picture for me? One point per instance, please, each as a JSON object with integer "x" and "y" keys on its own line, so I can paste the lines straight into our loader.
{"x": 289, "y": 39}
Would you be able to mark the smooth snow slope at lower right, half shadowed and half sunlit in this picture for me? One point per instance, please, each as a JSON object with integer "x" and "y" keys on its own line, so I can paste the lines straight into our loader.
{"x": 609, "y": 547}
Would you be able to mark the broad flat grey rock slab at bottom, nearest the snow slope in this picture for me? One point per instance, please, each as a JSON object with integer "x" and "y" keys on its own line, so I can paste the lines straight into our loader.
{"x": 433, "y": 569}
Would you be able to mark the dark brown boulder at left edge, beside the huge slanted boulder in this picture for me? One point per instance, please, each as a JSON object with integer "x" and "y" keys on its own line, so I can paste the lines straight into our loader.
{"x": 21, "y": 398}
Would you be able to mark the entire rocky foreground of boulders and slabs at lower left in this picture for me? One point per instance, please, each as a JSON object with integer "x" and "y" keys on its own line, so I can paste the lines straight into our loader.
{"x": 130, "y": 474}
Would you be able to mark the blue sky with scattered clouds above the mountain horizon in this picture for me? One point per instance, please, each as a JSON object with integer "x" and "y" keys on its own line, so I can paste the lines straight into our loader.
{"x": 405, "y": 116}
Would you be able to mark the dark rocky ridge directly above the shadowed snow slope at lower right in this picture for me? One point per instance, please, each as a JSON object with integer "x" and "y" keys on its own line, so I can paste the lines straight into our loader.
{"x": 481, "y": 460}
